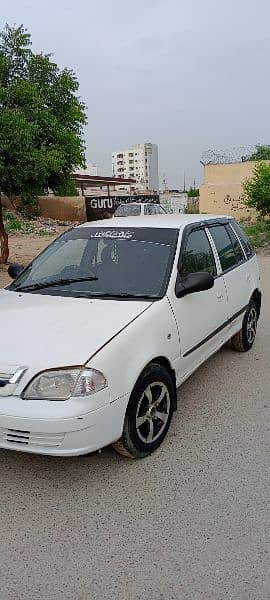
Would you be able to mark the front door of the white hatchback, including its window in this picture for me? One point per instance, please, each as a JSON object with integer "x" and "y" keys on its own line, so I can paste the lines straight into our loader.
{"x": 200, "y": 316}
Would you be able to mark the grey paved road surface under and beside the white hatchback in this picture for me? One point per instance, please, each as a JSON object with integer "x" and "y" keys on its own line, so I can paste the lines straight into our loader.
{"x": 189, "y": 523}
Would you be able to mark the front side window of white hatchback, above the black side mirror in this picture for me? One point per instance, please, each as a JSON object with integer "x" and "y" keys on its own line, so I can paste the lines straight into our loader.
{"x": 197, "y": 255}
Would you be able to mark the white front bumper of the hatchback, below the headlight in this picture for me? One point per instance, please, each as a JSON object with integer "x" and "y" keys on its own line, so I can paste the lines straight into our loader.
{"x": 56, "y": 436}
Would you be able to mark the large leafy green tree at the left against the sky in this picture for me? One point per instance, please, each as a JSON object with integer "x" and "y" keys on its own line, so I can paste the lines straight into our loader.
{"x": 41, "y": 124}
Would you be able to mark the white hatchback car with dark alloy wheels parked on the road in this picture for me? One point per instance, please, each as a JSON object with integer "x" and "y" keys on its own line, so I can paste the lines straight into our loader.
{"x": 100, "y": 330}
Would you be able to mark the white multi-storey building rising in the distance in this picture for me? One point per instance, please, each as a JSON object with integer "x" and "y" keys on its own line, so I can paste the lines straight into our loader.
{"x": 140, "y": 163}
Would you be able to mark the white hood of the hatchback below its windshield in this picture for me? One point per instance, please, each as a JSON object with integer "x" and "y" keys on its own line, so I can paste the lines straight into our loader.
{"x": 42, "y": 331}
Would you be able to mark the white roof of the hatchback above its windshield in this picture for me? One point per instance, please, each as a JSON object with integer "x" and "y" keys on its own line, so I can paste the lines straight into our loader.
{"x": 159, "y": 221}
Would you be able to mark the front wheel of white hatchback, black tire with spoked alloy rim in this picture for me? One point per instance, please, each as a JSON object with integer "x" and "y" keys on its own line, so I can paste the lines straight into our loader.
{"x": 149, "y": 413}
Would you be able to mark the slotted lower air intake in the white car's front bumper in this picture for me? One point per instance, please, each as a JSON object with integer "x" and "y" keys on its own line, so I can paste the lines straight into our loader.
{"x": 27, "y": 438}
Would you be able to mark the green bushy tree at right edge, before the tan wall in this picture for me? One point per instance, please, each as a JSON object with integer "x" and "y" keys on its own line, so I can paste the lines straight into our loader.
{"x": 257, "y": 189}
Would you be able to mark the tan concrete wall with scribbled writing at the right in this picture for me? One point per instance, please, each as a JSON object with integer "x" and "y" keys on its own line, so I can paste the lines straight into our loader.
{"x": 222, "y": 192}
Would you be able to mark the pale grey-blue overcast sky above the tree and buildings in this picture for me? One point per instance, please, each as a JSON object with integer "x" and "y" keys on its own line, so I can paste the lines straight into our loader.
{"x": 188, "y": 75}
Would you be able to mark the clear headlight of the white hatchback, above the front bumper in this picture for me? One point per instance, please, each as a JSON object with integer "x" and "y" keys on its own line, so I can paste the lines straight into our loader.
{"x": 63, "y": 383}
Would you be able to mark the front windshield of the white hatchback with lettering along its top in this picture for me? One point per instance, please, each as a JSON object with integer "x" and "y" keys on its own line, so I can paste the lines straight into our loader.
{"x": 103, "y": 262}
